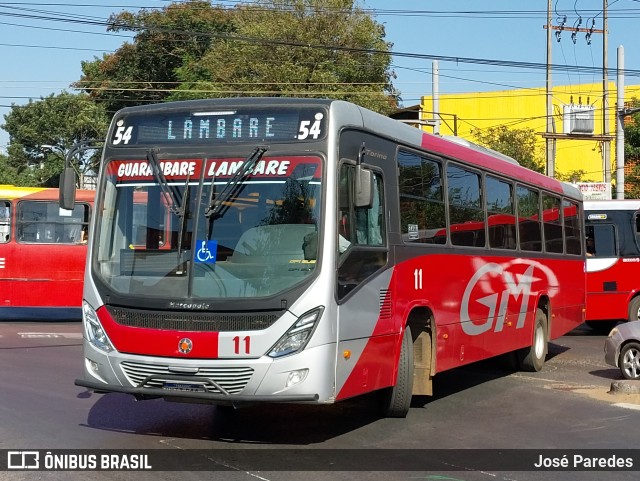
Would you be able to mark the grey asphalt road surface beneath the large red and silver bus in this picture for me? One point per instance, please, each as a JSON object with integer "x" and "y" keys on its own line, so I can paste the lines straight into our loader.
{"x": 485, "y": 406}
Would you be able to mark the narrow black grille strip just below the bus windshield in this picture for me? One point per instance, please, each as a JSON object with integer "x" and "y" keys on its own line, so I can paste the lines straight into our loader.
{"x": 192, "y": 321}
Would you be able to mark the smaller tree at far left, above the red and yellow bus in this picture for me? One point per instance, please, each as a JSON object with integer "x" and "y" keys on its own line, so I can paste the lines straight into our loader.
{"x": 57, "y": 122}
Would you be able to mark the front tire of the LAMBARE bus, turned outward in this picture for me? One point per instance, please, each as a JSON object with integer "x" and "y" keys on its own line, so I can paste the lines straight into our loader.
{"x": 395, "y": 401}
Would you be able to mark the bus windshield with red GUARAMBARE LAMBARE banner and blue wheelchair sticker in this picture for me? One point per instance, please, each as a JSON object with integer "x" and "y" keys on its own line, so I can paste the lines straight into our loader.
{"x": 199, "y": 230}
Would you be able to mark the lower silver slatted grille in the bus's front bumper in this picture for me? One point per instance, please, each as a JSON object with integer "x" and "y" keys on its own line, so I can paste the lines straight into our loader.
{"x": 231, "y": 380}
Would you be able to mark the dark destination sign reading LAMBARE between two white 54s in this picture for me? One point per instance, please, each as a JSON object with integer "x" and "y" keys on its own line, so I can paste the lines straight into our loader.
{"x": 219, "y": 127}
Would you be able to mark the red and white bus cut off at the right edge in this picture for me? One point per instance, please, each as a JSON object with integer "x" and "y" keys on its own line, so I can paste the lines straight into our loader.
{"x": 613, "y": 262}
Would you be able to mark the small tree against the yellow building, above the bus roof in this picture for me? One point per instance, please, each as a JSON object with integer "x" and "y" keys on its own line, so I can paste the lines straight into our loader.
{"x": 520, "y": 144}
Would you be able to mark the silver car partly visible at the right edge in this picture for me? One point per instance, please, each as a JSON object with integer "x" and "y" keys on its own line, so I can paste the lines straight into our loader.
{"x": 622, "y": 349}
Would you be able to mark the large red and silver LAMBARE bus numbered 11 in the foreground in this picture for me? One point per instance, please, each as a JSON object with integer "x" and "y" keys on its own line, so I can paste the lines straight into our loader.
{"x": 311, "y": 251}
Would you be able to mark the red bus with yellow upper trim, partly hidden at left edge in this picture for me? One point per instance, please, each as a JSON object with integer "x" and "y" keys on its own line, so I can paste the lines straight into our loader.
{"x": 42, "y": 253}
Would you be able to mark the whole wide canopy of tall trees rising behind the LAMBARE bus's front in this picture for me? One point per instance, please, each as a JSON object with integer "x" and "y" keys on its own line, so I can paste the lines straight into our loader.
{"x": 319, "y": 48}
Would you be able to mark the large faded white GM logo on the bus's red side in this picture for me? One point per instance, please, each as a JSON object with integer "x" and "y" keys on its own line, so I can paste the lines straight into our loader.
{"x": 493, "y": 286}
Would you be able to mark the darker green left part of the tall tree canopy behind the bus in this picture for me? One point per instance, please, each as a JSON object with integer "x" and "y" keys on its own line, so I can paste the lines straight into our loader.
{"x": 145, "y": 71}
